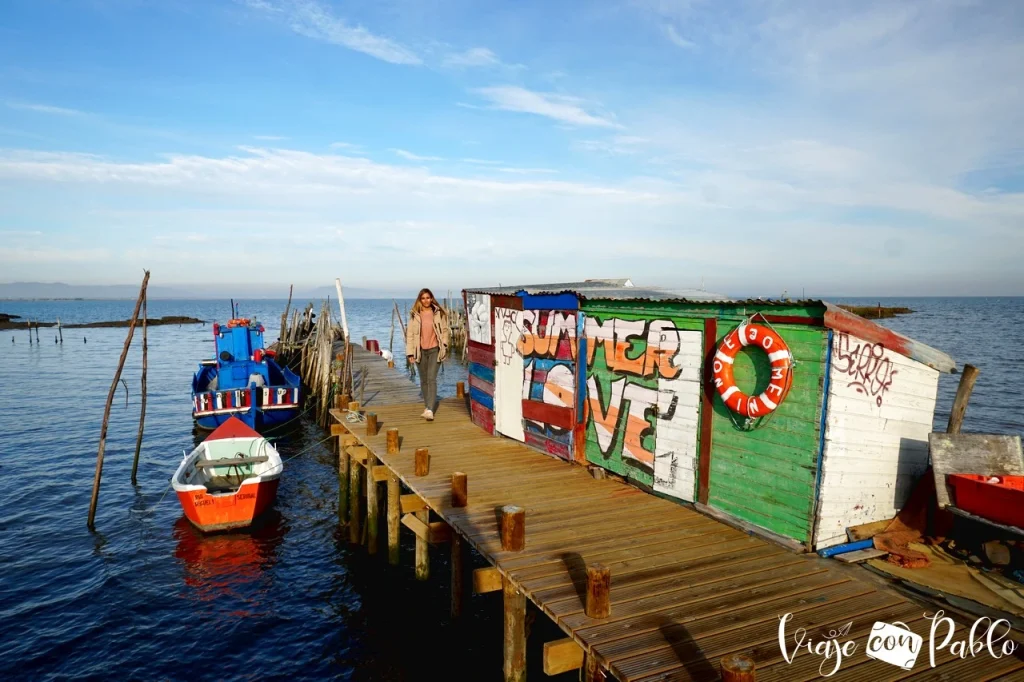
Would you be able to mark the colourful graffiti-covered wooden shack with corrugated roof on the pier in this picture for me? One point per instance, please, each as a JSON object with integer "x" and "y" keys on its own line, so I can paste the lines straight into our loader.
{"x": 605, "y": 373}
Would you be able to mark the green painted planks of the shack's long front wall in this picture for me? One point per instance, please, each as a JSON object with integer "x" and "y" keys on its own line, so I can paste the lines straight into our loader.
{"x": 765, "y": 476}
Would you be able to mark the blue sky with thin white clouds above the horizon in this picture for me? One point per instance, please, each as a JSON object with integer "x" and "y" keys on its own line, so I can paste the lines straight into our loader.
{"x": 839, "y": 149}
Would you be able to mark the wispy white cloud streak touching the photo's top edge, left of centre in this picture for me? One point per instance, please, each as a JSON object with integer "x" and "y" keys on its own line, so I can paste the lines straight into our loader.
{"x": 316, "y": 21}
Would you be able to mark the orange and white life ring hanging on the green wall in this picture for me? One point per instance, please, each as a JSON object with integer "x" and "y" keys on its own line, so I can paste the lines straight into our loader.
{"x": 782, "y": 370}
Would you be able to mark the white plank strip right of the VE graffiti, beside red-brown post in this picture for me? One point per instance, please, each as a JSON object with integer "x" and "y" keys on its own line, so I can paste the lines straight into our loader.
{"x": 676, "y": 431}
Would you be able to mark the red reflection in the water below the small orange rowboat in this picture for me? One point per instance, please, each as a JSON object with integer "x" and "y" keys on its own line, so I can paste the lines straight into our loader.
{"x": 224, "y": 565}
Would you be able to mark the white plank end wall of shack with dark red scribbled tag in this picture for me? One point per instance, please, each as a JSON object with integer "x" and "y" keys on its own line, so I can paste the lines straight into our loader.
{"x": 881, "y": 407}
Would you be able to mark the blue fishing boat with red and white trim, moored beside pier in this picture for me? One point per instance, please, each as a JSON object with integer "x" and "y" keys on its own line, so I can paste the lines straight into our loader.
{"x": 244, "y": 380}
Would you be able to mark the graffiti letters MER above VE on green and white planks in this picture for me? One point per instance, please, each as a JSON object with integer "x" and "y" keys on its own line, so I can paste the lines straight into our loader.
{"x": 644, "y": 397}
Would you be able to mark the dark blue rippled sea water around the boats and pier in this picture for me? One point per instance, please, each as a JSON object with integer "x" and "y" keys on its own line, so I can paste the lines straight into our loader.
{"x": 147, "y": 598}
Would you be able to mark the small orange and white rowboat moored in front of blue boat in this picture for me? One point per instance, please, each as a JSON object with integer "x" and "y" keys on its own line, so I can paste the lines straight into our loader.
{"x": 230, "y": 480}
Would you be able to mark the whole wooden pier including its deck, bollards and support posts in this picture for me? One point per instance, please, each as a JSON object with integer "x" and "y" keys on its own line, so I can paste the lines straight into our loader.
{"x": 688, "y": 595}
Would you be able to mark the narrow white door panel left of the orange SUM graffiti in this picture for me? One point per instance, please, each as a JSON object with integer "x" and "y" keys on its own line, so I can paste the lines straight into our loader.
{"x": 508, "y": 374}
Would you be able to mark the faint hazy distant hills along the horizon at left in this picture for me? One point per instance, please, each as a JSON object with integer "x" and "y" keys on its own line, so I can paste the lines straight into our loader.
{"x": 60, "y": 290}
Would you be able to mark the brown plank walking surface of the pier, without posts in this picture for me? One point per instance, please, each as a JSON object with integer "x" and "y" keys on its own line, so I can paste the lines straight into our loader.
{"x": 687, "y": 589}
